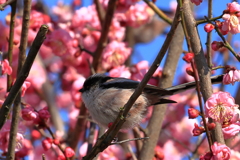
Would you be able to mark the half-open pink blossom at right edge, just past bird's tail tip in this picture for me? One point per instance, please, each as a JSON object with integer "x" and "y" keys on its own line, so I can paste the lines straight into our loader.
{"x": 231, "y": 77}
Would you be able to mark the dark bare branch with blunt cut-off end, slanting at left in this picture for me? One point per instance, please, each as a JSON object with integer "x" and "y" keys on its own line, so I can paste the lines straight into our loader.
{"x": 4, "y": 111}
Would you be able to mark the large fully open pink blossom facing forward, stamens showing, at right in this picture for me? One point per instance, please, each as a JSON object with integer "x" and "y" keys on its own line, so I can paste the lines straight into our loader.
{"x": 220, "y": 107}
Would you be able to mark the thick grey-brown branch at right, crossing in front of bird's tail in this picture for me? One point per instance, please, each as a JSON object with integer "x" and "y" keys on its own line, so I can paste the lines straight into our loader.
{"x": 204, "y": 71}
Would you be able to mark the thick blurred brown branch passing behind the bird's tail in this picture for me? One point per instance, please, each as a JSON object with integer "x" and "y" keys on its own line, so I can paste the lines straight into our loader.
{"x": 157, "y": 118}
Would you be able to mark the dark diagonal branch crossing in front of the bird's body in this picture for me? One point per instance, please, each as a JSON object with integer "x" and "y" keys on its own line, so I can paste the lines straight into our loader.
{"x": 104, "y": 141}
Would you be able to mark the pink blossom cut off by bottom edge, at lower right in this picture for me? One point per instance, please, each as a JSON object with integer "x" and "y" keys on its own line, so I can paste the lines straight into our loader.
{"x": 220, "y": 151}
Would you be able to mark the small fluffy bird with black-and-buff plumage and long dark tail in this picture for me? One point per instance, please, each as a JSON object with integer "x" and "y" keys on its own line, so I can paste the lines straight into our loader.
{"x": 103, "y": 96}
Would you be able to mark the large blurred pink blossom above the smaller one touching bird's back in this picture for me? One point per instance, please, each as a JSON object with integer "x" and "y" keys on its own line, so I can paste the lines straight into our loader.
{"x": 115, "y": 54}
